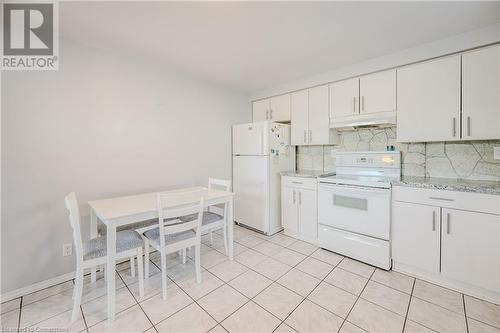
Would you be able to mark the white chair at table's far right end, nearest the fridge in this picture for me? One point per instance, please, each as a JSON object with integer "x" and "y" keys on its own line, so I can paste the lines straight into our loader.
{"x": 211, "y": 220}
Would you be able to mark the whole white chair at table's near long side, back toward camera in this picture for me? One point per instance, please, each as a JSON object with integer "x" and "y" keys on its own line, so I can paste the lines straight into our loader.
{"x": 174, "y": 235}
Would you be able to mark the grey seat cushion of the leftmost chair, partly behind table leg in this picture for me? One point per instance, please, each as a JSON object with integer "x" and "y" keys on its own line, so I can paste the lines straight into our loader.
{"x": 125, "y": 240}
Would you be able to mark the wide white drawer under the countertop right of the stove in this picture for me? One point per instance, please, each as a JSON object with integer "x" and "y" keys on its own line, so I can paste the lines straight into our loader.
{"x": 478, "y": 202}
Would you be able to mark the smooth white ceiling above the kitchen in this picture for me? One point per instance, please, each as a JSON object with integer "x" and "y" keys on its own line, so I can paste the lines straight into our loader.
{"x": 255, "y": 45}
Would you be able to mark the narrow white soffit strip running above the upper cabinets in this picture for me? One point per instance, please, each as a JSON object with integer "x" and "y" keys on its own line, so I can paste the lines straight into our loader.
{"x": 438, "y": 48}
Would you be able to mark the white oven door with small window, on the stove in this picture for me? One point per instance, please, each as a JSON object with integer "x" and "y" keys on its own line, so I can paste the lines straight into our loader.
{"x": 362, "y": 210}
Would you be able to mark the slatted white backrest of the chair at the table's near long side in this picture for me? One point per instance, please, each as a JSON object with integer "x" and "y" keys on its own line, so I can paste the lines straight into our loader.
{"x": 174, "y": 204}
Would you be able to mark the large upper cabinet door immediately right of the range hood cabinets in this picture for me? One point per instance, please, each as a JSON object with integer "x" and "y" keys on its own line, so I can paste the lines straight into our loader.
{"x": 428, "y": 97}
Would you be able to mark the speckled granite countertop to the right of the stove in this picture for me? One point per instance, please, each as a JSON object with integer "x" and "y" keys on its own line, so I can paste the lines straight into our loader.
{"x": 462, "y": 185}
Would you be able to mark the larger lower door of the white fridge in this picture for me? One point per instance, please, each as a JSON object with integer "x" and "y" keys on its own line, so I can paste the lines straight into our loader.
{"x": 251, "y": 188}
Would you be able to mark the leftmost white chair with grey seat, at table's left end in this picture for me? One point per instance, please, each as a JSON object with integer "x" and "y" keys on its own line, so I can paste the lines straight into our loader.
{"x": 93, "y": 252}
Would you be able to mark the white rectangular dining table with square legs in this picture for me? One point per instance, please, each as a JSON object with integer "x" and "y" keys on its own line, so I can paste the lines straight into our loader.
{"x": 126, "y": 210}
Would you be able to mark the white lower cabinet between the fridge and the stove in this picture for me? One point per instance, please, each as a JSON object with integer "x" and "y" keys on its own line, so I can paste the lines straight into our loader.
{"x": 299, "y": 208}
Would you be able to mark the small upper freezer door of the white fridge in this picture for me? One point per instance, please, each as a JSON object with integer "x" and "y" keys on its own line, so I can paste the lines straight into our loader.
{"x": 251, "y": 138}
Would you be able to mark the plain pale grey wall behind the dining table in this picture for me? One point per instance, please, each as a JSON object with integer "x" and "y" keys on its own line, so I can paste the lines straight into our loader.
{"x": 102, "y": 126}
